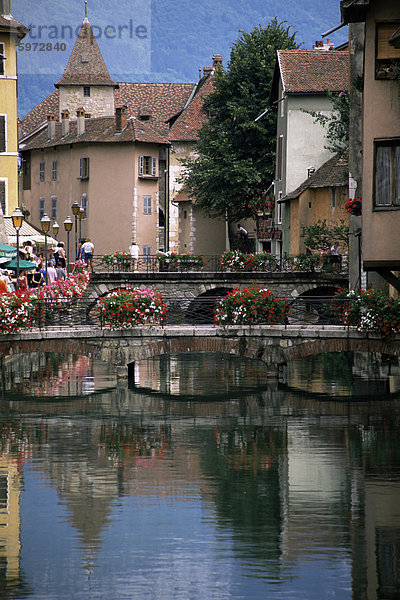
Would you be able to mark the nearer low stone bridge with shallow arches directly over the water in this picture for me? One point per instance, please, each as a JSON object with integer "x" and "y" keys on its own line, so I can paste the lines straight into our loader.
{"x": 275, "y": 345}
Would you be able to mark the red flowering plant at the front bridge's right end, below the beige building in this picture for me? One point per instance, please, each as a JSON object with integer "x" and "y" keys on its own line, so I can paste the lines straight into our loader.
{"x": 368, "y": 310}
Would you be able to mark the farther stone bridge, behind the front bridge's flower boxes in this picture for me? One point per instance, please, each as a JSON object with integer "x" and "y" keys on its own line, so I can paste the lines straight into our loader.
{"x": 190, "y": 285}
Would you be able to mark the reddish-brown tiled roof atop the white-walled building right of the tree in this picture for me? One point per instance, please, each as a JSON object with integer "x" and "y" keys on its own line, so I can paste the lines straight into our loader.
{"x": 313, "y": 71}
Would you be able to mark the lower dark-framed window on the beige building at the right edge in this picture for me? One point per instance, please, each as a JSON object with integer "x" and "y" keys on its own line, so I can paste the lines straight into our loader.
{"x": 387, "y": 174}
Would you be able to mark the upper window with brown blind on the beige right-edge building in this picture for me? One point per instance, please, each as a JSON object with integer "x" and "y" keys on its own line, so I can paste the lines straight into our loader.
{"x": 387, "y": 57}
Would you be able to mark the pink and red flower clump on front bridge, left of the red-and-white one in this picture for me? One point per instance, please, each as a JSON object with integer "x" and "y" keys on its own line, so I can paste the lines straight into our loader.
{"x": 126, "y": 308}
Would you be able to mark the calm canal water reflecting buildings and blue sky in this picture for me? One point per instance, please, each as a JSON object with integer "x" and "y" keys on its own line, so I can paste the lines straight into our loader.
{"x": 199, "y": 480}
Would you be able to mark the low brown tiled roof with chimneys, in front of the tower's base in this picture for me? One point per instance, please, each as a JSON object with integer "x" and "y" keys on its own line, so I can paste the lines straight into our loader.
{"x": 100, "y": 130}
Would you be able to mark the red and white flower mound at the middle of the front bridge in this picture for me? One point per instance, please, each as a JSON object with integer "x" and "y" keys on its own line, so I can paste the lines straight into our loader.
{"x": 250, "y": 305}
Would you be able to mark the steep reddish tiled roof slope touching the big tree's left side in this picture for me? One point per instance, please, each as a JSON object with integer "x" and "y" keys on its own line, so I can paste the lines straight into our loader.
{"x": 193, "y": 116}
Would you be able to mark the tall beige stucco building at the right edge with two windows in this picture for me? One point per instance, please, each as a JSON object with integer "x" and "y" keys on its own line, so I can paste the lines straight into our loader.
{"x": 378, "y": 42}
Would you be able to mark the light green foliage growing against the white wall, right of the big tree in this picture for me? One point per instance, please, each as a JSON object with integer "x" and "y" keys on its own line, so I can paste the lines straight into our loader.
{"x": 336, "y": 124}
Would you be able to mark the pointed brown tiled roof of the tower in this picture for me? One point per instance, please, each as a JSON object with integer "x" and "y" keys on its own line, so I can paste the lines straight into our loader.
{"x": 86, "y": 65}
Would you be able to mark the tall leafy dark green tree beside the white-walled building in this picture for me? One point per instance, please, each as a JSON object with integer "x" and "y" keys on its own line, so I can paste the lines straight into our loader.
{"x": 235, "y": 154}
